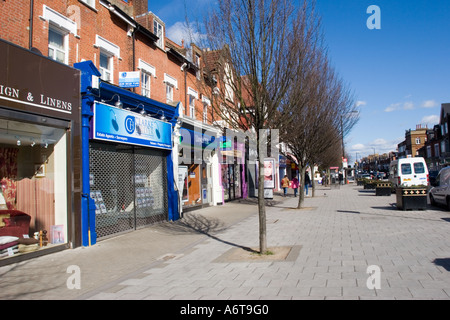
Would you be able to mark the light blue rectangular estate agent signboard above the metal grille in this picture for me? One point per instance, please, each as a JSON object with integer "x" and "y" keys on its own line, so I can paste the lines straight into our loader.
{"x": 123, "y": 126}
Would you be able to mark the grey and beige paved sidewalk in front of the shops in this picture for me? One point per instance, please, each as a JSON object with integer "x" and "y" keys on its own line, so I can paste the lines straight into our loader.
{"x": 336, "y": 237}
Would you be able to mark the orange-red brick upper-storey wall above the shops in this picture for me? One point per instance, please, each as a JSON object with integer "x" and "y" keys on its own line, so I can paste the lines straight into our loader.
{"x": 14, "y": 22}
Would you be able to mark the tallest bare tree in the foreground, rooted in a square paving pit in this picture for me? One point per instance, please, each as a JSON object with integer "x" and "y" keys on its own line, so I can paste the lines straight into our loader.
{"x": 255, "y": 45}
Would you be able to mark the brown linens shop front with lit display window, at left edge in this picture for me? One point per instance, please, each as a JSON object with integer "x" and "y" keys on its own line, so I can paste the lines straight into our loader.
{"x": 40, "y": 167}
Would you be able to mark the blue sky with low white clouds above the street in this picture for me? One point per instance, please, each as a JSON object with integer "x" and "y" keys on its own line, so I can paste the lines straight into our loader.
{"x": 399, "y": 73}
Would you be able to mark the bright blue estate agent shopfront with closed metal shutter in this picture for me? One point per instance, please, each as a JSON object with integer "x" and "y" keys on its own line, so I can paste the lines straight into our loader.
{"x": 127, "y": 159}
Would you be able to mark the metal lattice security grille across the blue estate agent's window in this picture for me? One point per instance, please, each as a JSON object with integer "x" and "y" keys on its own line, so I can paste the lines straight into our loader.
{"x": 128, "y": 186}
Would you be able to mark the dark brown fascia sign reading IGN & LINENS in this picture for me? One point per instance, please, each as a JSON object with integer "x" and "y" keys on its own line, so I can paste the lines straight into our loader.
{"x": 37, "y": 84}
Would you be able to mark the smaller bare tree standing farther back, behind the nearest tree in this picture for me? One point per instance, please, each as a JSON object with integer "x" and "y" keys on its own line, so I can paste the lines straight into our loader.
{"x": 322, "y": 102}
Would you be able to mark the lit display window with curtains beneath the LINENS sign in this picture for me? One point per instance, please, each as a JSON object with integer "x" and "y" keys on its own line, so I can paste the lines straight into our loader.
{"x": 33, "y": 176}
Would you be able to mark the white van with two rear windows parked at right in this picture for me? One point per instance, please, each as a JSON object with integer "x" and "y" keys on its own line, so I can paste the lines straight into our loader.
{"x": 409, "y": 172}
